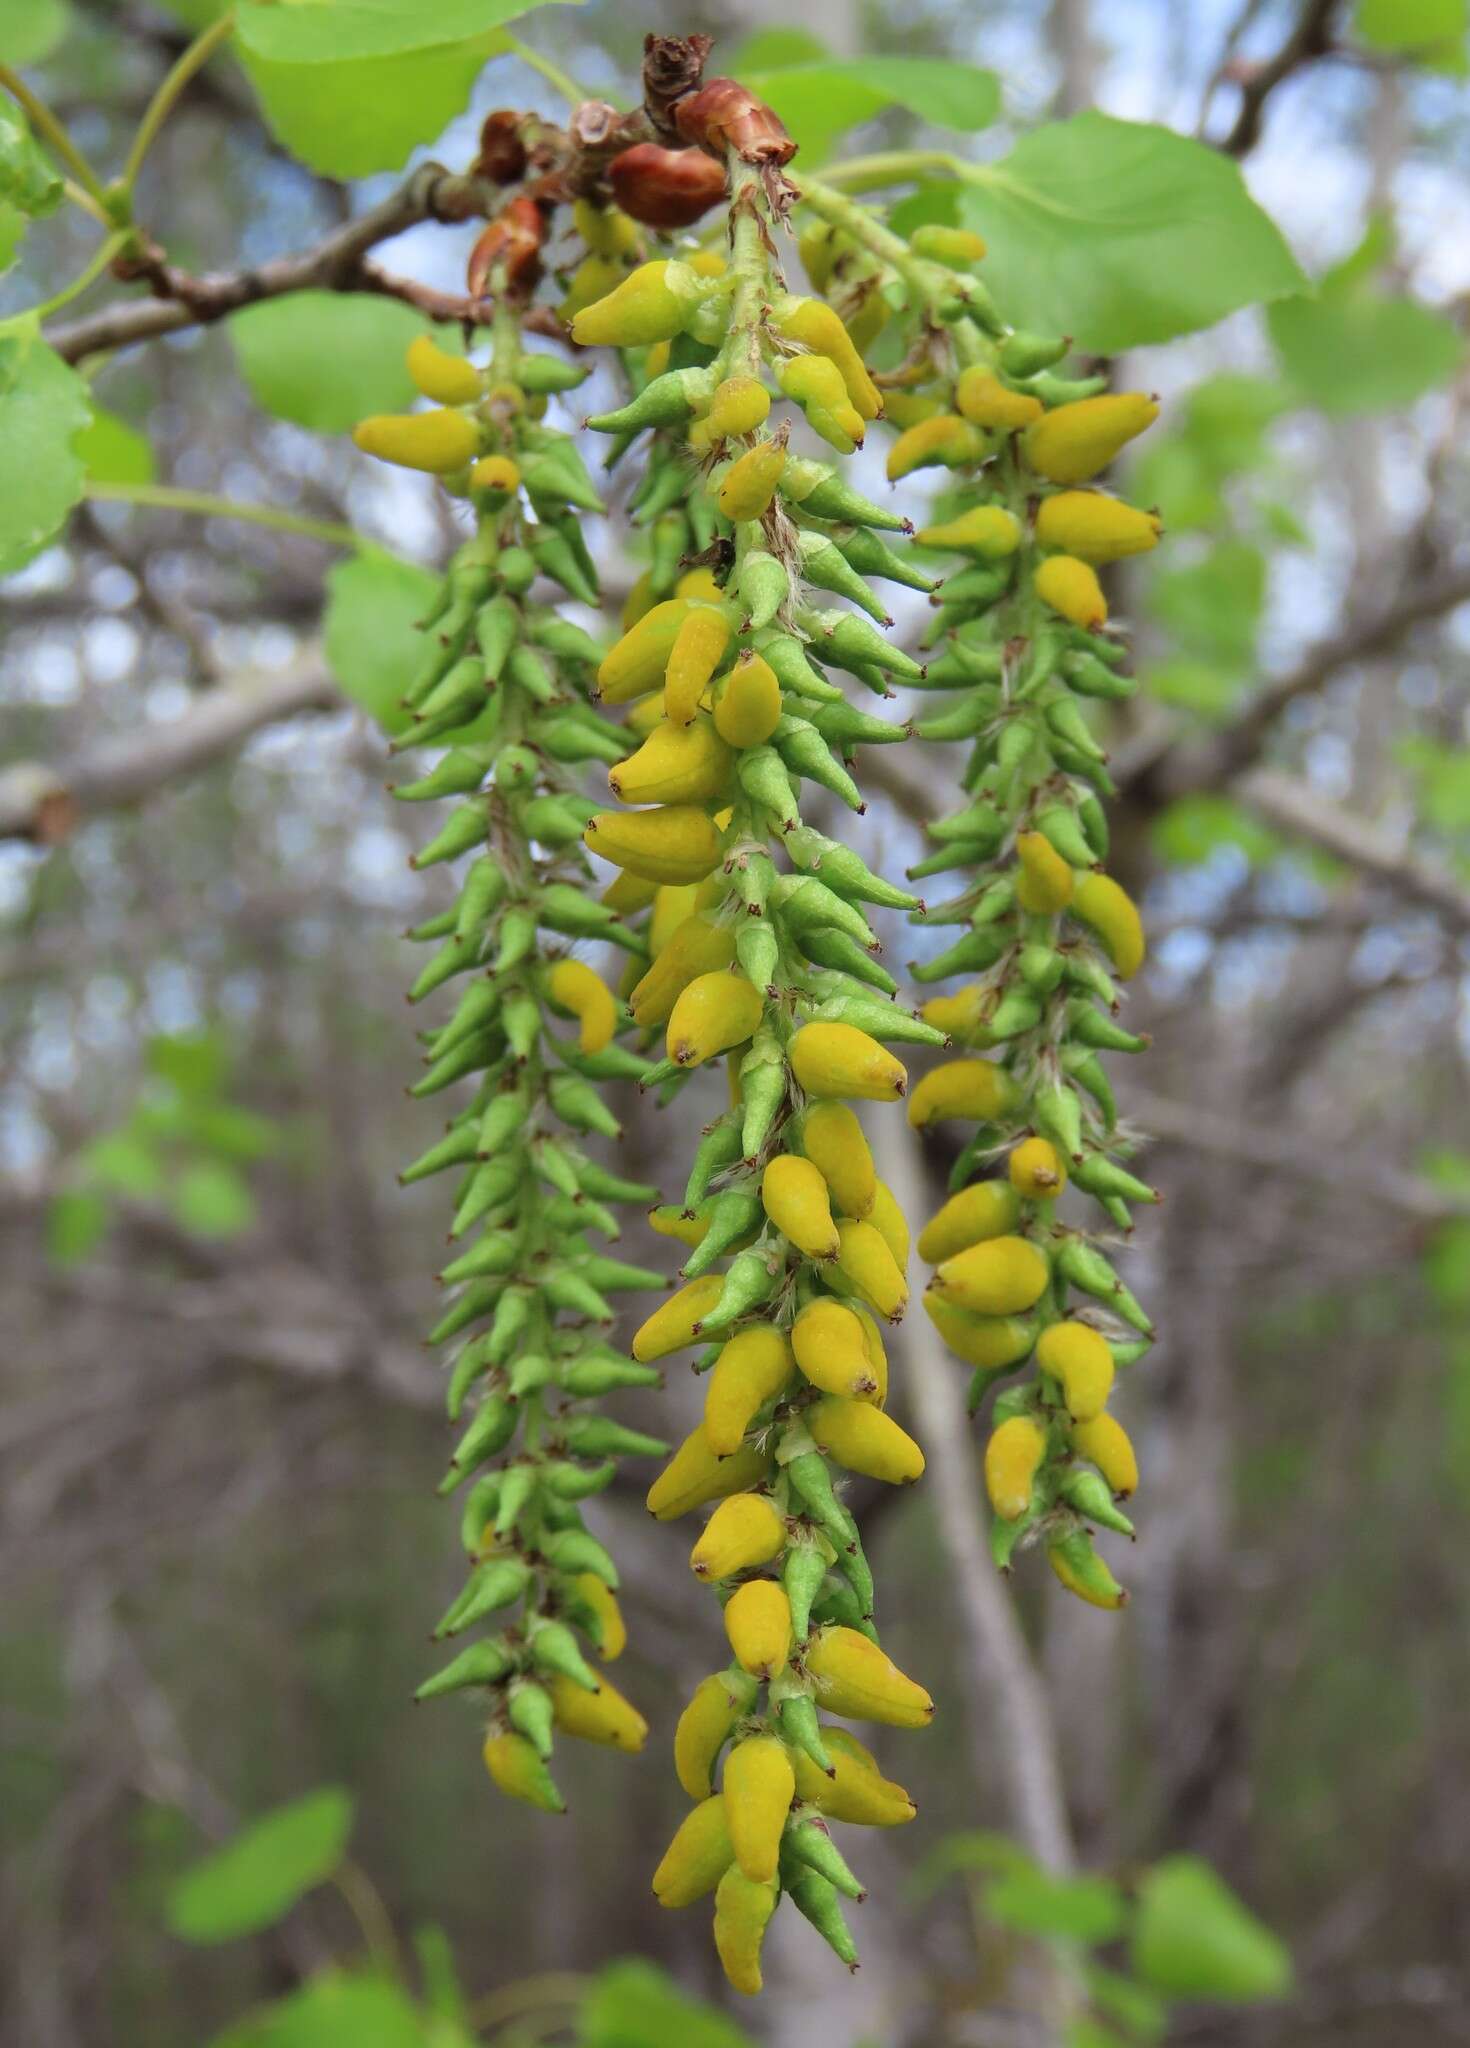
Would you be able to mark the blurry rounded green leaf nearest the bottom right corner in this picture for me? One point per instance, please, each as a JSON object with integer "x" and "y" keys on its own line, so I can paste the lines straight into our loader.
{"x": 1195, "y": 1940}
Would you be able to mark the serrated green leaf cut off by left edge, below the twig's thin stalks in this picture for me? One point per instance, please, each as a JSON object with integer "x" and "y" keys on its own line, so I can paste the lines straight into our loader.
{"x": 44, "y": 407}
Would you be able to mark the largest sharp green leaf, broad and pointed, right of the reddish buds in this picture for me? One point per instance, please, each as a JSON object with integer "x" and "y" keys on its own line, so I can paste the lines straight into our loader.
{"x": 1121, "y": 232}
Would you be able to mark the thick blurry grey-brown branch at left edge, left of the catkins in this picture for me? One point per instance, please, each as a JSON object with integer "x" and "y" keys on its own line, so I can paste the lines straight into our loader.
{"x": 48, "y": 804}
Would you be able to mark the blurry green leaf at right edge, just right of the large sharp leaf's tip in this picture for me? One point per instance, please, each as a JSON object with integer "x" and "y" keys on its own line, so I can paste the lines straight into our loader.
{"x": 1365, "y": 353}
